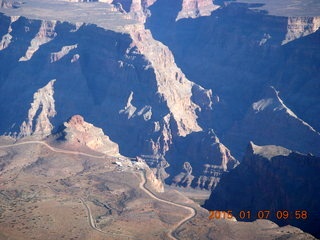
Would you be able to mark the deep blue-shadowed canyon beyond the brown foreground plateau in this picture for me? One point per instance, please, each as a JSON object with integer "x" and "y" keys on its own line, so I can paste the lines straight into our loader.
{"x": 181, "y": 86}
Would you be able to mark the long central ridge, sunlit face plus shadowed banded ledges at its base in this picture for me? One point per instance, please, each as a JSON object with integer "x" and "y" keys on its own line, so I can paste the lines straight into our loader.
{"x": 185, "y": 100}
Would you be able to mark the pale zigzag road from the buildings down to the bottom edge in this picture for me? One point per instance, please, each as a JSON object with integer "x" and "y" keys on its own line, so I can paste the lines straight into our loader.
{"x": 193, "y": 212}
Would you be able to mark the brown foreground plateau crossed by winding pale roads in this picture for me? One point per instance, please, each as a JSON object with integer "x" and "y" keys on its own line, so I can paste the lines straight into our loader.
{"x": 46, "y": 190}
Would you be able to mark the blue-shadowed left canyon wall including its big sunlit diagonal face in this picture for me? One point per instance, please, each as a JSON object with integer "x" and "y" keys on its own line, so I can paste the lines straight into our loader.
{"x": 104, "y": 76}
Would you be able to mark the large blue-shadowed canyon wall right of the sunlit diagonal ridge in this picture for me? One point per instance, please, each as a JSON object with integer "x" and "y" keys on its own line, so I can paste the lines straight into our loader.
{"x": 239, "y": 60}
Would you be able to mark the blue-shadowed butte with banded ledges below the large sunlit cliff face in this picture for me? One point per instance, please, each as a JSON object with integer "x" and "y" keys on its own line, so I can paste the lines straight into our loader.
{"x": 201, "y": 159}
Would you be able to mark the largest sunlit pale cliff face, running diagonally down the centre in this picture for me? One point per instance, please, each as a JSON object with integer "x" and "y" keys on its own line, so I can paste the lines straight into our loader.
{"x": 172, "y": 84}
